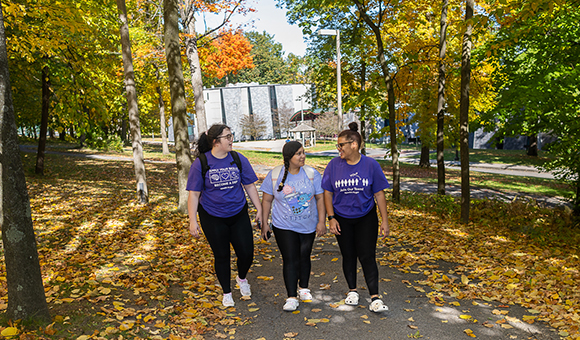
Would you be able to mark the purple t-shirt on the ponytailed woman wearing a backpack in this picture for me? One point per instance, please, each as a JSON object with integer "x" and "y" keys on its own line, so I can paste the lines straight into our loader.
{"x": 222, "y": 195}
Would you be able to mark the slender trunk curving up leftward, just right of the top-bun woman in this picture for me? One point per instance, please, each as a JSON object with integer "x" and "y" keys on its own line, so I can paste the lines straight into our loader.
{"x": 390, "y": 95}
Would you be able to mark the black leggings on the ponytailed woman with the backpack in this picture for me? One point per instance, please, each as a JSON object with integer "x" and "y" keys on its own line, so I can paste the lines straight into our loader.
{"x": 220, "y": 232}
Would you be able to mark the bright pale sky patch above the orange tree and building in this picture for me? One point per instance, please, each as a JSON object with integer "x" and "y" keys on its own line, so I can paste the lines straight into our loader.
{"x": 267, "y": 18}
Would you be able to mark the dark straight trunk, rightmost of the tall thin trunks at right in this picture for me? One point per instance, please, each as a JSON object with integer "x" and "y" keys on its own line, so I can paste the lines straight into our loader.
{"x": 464, "y": 112}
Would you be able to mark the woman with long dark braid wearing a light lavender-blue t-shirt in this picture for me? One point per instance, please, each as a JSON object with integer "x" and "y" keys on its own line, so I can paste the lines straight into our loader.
{"x": 294, "y": 194}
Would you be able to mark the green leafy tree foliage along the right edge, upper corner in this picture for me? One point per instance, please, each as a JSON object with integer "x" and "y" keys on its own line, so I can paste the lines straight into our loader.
{"x": 538, "y": 46}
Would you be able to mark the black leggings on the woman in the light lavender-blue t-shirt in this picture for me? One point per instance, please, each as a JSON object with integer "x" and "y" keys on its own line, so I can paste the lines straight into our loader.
{"x": 295, "y": 249}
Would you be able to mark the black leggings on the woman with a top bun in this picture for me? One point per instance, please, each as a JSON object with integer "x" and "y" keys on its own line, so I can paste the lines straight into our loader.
{"x": 358, "y": 239}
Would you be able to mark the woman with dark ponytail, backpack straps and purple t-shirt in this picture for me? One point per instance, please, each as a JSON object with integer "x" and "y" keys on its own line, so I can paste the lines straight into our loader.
{"x": 216, "y": 193}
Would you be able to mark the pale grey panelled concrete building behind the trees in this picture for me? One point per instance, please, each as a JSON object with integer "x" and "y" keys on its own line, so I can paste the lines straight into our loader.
{"x": 229, "y": 104}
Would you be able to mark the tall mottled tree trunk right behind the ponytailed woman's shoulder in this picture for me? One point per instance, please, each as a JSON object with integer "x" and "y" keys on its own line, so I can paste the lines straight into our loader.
{"x": 178, "y": 105}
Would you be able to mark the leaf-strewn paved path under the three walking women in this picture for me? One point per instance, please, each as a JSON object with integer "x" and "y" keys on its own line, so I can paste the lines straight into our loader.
{"x": 410, "y": 315}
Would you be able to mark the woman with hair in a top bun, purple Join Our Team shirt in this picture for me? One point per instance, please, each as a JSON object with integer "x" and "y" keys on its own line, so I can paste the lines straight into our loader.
{"x": 352, "y": 184}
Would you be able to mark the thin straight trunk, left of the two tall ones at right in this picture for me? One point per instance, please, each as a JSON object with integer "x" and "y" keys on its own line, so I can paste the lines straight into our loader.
{"x": 441, "y": 102}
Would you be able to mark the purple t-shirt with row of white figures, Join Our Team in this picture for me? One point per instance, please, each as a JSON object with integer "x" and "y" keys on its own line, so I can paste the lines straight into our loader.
{"x": 353, "y": 186}
